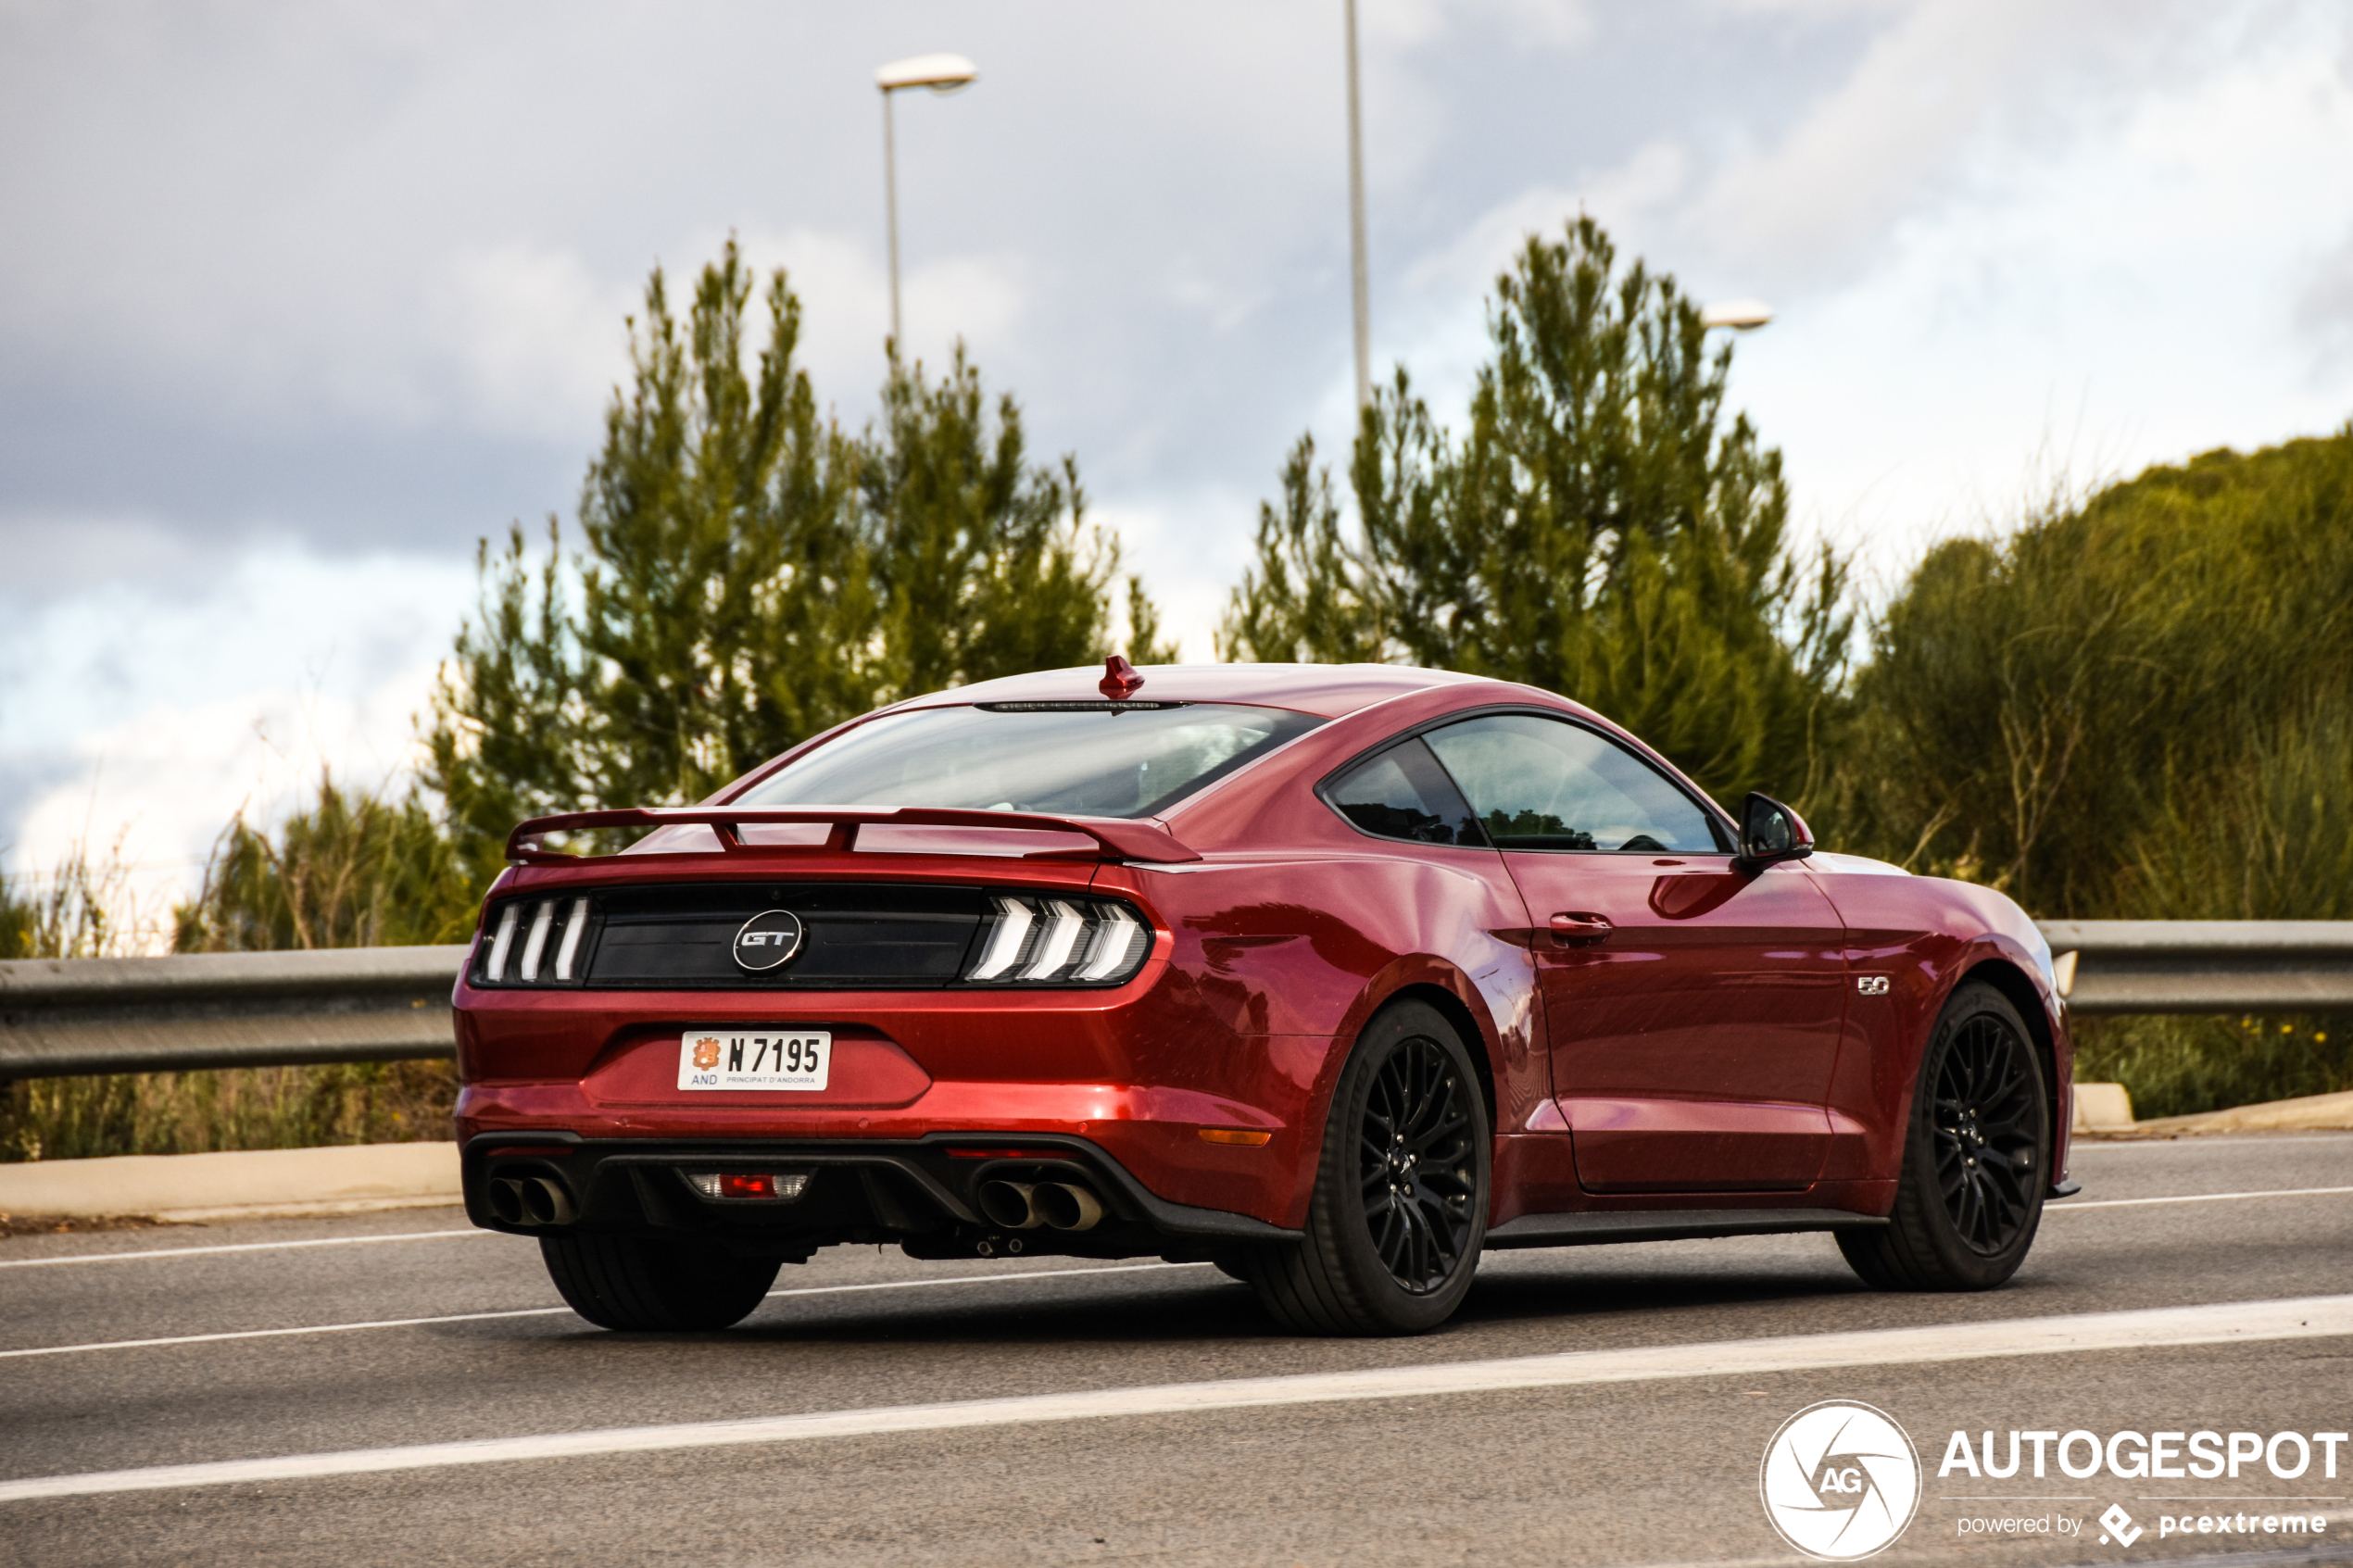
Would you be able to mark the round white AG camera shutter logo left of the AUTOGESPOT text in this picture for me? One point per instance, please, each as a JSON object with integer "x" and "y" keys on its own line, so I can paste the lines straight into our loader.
{"x": 1841, "y": 1482}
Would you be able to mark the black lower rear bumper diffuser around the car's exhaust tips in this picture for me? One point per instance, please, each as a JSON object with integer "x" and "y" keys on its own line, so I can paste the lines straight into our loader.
{"x": 919, "y": 1193}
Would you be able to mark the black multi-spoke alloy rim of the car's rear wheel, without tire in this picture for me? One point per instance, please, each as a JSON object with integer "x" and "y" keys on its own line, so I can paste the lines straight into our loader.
{"x": 1415, "y": 1165}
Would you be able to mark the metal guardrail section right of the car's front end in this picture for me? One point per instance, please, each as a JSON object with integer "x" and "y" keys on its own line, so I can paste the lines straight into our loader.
{"x": 2204, "y": 965}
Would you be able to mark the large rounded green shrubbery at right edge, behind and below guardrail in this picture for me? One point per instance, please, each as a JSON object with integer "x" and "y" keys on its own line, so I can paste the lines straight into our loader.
{"x": 2138, "y": 706}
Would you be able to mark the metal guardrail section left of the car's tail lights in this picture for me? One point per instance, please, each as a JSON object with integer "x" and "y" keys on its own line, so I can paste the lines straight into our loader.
{"x": 225, "y": 1010}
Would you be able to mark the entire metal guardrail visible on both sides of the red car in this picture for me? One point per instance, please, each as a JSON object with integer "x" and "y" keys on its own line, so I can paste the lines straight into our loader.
{"x": 378, "y": 1005}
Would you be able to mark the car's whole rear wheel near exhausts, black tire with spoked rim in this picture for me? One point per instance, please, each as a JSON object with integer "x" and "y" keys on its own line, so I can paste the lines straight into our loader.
{"x": 1401, "y": 1259}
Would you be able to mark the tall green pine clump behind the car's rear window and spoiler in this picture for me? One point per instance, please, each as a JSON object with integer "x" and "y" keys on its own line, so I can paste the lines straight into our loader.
{"x": 749, "y": 575}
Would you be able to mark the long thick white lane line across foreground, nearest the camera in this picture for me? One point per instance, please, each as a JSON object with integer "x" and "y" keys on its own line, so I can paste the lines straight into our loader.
{"x": 2037, "y": 1336}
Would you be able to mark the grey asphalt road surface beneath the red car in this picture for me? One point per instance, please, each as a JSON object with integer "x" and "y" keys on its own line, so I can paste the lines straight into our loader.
{"x": 415, "y": 1336}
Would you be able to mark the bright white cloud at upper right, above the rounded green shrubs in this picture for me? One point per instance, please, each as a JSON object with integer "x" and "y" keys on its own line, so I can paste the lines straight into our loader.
{"x": 2074, "y": 311}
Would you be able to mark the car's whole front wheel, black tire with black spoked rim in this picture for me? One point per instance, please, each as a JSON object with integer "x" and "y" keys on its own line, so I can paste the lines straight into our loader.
{"x": 1975, "y": 1158}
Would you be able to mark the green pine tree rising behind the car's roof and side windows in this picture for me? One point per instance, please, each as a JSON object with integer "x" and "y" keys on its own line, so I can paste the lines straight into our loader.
{"x": 1599, "y": 530}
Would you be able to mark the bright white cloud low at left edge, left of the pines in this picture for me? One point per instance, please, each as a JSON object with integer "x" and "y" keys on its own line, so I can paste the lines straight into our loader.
{"x": 159, "y": 711}
